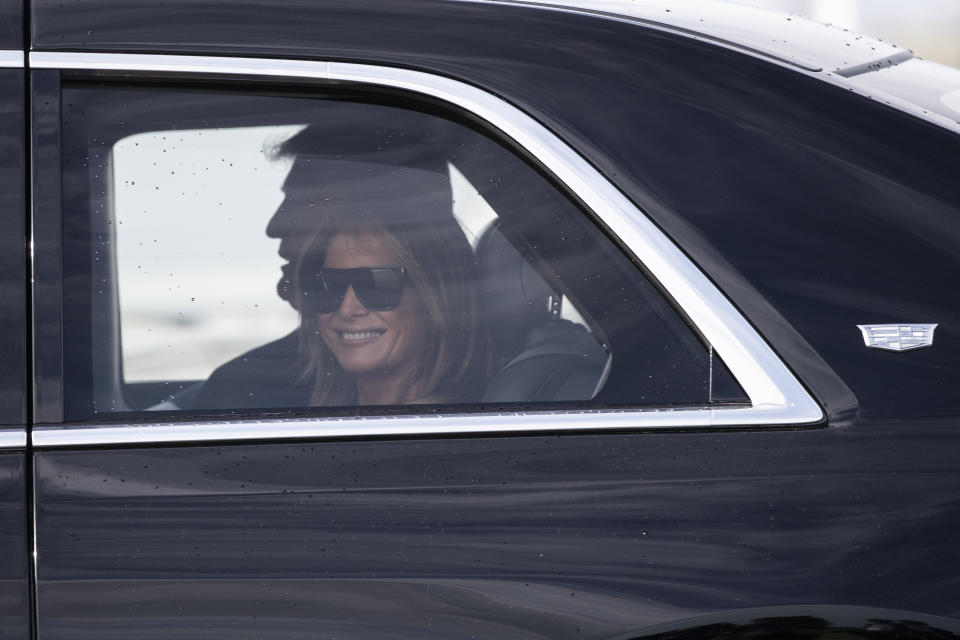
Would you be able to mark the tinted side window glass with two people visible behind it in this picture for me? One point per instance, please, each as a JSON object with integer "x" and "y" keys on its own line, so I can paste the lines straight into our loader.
{"x": 265, "y": 253}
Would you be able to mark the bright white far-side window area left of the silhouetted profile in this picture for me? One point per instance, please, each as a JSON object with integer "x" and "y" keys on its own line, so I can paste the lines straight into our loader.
{"x": 191, "y": 295}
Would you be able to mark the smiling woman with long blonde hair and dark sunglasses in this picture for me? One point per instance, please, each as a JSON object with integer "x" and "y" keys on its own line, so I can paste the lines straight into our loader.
{"x": 396, "y": 351}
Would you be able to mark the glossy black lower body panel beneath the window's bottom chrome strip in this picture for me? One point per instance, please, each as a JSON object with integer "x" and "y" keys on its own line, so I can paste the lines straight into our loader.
{"x": 593, "y": 536}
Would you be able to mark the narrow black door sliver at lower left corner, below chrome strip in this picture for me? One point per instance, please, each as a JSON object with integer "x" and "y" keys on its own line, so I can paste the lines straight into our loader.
{"x": 14, "y": 559}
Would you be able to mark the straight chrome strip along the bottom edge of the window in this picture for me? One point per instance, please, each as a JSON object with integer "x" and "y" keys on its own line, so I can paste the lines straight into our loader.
{"x": 366, "y": 426}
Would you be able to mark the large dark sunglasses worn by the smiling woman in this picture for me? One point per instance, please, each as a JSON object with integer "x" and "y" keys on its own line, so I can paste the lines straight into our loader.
{"x": 377, "y": 288}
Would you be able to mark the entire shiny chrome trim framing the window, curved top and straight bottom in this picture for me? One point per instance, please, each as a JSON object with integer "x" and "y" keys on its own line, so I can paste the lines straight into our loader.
{"x": 777, "y": 397}
